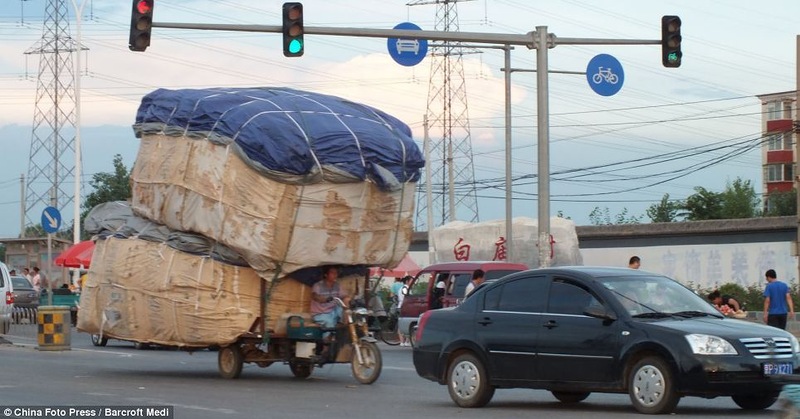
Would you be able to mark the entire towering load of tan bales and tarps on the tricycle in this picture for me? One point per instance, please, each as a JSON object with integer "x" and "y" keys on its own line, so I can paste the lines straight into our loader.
{"x": 239, "y": 194}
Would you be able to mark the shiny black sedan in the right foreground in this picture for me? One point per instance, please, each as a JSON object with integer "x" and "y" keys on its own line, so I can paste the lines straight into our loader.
{"x": 578, "y": 330}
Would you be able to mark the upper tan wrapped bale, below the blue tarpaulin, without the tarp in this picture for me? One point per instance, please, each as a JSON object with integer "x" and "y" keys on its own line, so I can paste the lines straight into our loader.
{"x": 199, "y": 186}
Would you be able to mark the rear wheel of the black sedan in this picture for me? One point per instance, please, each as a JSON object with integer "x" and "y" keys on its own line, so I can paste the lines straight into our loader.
{"x": 468, "y": 382}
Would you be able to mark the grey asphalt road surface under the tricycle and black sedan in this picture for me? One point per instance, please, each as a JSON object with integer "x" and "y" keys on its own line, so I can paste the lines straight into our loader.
{"x": 121, "y": 375}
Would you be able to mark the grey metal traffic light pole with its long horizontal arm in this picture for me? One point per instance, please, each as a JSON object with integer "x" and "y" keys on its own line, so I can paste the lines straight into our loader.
{"x": 539, "y": 40}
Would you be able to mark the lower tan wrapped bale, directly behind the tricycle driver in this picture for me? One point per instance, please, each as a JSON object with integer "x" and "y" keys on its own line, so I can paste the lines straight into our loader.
{"x": 148, "y": 292}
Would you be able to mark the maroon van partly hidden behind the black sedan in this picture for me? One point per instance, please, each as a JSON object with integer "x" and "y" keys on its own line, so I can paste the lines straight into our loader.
{"x": 456, "y": 277}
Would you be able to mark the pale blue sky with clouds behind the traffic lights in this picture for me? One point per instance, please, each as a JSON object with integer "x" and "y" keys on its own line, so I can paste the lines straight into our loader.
{"x": 667, "y": 131}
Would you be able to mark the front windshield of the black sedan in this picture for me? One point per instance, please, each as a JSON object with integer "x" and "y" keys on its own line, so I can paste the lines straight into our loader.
{"x": 657, "y": 297}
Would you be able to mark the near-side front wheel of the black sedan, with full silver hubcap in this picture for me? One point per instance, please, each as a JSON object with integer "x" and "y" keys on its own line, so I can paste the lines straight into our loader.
{"x": 651, "y": 387}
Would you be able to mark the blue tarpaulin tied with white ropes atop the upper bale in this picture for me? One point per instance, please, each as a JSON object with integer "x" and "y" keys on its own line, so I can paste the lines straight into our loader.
{"x": 290, "y": 135}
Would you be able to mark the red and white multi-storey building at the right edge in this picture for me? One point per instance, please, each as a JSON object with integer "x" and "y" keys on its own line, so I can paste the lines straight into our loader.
{"x": 777, "y": 155}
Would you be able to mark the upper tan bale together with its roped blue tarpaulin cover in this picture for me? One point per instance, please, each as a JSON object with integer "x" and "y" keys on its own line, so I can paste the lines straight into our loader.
{"x": 288, "y": 179}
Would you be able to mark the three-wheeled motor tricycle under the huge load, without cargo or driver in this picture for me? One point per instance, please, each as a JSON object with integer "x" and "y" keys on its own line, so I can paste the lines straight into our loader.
{"x": 305, "y": 345}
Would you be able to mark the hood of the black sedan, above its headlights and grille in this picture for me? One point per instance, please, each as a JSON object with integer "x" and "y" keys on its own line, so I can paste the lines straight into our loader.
{"x": 726, "y": 328}
